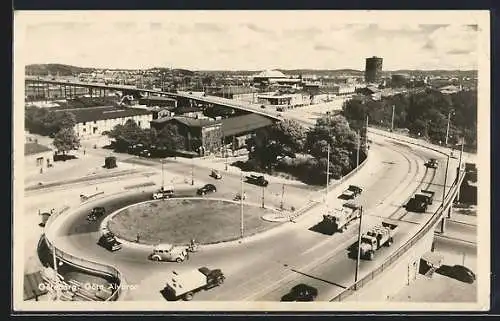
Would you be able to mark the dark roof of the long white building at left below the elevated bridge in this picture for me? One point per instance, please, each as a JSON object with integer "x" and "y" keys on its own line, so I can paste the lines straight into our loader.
{"x": 103, "y": 112}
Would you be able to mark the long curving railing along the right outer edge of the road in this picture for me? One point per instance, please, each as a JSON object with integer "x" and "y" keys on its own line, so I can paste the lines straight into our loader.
{"x": 409, "y": 244}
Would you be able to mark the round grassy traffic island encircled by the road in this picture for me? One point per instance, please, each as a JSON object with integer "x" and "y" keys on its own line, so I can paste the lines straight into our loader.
{"x": 177, "y": 221}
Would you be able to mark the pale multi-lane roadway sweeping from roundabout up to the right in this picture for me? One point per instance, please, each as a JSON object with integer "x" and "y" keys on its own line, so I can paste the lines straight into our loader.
{"x": 254, "y": 269}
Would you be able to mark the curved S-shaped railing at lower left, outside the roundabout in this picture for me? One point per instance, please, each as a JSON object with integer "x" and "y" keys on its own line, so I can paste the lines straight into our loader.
{"x": 79, "y": 262}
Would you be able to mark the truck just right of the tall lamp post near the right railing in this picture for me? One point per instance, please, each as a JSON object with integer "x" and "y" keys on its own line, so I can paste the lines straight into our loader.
{"x": 378, "y": 236}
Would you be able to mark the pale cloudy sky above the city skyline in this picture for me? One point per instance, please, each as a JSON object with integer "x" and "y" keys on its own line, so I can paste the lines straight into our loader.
{"x": 248, "y": 40}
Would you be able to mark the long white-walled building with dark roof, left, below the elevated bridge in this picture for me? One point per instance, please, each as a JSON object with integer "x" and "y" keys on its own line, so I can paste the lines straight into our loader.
{"x": 93, "y": 121}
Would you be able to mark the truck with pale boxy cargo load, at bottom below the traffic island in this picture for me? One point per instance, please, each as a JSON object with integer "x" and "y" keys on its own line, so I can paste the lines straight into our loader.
{"x": 184, "y": 286}
